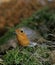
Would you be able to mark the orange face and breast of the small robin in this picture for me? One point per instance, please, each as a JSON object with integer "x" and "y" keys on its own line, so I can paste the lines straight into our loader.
{"x": 22, "y": 38}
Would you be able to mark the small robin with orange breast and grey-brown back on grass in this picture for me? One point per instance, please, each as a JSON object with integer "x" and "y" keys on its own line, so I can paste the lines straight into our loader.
{"x": 27, "y": 37}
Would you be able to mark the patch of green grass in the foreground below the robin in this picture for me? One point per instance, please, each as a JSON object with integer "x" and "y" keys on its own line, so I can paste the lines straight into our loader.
{"x": 27, "y": 56}
